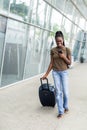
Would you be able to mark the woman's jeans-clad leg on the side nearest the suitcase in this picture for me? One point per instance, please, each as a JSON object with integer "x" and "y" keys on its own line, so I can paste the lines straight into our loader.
{"x": 59, "y": 95}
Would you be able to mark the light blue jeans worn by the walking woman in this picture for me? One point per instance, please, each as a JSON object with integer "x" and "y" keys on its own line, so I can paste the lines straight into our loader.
{"x": 61, "y": 86}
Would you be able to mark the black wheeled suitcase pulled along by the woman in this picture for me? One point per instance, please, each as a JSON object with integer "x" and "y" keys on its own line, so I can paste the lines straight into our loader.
{"x": 47, "y": 94}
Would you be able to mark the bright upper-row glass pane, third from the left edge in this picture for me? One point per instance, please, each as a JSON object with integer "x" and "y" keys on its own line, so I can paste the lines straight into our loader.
{"x": 41, "y": 14}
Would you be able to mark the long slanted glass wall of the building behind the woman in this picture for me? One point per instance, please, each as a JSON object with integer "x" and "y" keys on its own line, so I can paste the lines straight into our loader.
{"x": 27, "y": 29}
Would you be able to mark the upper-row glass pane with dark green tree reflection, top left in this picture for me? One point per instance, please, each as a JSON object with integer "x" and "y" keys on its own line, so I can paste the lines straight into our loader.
{"x": 19, "y": 9}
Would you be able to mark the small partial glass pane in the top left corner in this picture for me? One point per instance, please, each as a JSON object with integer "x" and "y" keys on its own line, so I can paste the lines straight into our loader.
{"x": 4, "y": 6}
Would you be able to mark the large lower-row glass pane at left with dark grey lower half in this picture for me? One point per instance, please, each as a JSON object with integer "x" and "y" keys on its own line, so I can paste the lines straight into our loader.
{"x": 15, "y": 52}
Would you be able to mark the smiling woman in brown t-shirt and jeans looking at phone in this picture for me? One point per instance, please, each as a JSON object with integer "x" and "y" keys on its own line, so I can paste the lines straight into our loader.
{"x": 60, "y": 59}
